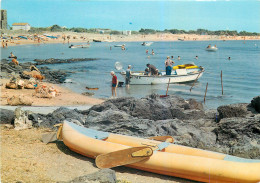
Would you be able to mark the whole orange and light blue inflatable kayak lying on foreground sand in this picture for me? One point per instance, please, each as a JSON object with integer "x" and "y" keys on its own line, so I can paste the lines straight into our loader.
{"x": 166, "y": 158}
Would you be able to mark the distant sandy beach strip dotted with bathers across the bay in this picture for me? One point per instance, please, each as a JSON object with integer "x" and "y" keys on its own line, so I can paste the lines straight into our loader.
{"x": 88, "y": 37}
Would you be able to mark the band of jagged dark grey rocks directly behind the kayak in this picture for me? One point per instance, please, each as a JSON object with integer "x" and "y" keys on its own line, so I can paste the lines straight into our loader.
{"x": 232, "y": 129}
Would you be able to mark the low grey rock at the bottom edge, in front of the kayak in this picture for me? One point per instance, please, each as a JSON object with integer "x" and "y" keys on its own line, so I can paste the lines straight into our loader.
{"x": 102, "y": 176}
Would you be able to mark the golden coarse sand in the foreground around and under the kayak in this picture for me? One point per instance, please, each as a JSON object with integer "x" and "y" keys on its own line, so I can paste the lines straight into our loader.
{"x": 24, "y": 158}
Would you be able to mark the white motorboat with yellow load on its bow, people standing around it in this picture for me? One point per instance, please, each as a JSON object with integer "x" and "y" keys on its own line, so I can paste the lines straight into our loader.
{"x": 180, "y": 74}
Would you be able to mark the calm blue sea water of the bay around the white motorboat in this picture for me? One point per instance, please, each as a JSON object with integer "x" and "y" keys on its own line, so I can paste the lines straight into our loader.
{"x": 241, "y": 74}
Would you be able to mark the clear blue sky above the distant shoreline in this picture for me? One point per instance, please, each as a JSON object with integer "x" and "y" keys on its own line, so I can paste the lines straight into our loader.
{"x": 182, "y": 14}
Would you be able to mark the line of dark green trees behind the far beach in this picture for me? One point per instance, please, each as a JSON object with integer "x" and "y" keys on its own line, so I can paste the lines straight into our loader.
{"x": 57, "y": 28}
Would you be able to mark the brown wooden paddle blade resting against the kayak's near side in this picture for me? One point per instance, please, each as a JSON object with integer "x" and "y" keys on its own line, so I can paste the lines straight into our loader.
{"x": 123, "y": 157}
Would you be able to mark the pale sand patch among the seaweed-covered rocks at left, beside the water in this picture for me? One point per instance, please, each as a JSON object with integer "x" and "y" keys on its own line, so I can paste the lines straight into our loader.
{"x": 66, "y": 97}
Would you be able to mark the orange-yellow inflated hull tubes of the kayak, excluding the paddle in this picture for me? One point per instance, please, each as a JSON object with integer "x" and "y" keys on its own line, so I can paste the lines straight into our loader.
{"x": 184, "y": 162}
